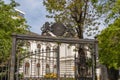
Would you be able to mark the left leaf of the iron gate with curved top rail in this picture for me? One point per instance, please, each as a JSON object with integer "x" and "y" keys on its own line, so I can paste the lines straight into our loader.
{"x": 38, "y": 64}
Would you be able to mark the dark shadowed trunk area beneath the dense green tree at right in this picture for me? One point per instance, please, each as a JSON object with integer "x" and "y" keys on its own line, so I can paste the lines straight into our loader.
{"x": 113, "y": 74}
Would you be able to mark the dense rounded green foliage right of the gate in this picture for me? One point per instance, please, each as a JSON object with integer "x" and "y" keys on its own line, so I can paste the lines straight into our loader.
{"x": 109, "y": 43}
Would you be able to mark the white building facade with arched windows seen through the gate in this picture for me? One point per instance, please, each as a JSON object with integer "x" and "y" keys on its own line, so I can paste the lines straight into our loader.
{"x": 41, "y": 59}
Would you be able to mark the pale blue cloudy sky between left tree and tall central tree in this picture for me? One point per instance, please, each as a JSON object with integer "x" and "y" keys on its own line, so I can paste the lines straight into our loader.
{"x": 35, "y": 13}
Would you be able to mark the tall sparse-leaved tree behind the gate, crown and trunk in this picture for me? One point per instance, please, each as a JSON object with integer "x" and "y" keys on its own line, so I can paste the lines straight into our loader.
{"x": 81, "y": 15}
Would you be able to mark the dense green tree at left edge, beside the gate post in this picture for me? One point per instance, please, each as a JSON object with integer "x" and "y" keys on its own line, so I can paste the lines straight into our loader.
{"x": 10, "y": 22}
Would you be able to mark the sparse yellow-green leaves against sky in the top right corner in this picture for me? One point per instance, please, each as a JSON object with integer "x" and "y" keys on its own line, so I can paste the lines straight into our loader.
{"x": 109, "y": 9}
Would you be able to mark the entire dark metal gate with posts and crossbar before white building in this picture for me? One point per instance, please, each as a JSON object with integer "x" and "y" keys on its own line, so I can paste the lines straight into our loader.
{"x": 48, "y": 58}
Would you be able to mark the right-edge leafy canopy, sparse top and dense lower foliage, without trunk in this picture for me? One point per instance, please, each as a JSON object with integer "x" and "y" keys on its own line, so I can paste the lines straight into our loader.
{"x": 109, "y": 39}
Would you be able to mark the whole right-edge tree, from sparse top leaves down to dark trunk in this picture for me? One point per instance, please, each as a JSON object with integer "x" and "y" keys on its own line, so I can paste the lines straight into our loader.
{"x": 112, "y": 11}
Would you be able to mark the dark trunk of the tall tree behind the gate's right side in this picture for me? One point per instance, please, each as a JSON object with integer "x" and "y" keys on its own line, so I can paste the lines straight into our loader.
{"x": 81, "y": 57}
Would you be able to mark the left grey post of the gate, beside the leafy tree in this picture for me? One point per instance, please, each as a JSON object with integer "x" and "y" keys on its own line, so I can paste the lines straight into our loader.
{"x": 12, "y": 68}
